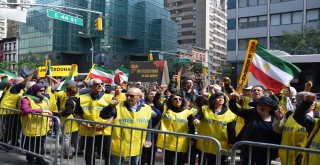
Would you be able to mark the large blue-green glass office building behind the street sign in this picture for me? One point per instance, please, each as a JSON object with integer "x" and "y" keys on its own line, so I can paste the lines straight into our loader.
{"x": 131, "y": 28}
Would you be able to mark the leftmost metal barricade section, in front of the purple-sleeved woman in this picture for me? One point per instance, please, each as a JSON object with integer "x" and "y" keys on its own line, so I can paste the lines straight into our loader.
{"x": 29, "y": 133}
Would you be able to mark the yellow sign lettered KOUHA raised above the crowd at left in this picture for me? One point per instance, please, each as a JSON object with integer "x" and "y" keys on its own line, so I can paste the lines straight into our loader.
{"x": 57, "y": 70}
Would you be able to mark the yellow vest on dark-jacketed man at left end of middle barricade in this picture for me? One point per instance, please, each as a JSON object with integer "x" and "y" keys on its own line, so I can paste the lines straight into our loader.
{"x": 91, "y": 111}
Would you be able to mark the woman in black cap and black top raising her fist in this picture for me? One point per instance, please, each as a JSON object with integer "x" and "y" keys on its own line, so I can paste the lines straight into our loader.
{"x": 257, "y": 128}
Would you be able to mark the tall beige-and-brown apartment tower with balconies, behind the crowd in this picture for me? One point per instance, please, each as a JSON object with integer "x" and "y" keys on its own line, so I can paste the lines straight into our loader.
{"x": 202, "y": 23}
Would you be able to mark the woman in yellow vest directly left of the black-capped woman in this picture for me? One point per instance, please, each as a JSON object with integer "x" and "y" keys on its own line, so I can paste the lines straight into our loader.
{"x": 215, "y": 120}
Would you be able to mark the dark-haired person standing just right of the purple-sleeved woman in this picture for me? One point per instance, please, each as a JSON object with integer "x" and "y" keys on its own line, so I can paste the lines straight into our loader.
{"x": 71, "y": 127}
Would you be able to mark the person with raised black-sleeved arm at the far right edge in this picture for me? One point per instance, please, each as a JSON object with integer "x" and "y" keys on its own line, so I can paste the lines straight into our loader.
{"x": 312, "y": 126}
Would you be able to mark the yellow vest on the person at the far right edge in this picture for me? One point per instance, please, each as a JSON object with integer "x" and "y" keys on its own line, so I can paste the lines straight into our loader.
{"x": 315, "y": 145}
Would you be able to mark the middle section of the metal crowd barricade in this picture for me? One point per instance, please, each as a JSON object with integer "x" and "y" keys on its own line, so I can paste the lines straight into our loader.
{"x": 91, "y": 141}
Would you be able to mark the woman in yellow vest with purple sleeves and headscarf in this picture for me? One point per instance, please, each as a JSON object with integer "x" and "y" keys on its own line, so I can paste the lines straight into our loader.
{"x": 35, "y": 127}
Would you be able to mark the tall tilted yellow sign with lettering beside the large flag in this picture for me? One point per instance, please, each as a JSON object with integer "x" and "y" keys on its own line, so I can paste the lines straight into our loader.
{"x": 243, "y": 79}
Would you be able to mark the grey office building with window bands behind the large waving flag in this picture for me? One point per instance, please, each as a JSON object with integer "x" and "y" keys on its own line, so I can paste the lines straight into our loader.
{"x": 266, "y": 21}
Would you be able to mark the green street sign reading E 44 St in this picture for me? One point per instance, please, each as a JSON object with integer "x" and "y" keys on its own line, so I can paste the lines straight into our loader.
{"x": 64, "y": 17}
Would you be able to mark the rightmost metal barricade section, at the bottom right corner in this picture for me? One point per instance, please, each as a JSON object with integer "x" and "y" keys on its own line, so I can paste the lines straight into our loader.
{"x": 268, "y": 147}
